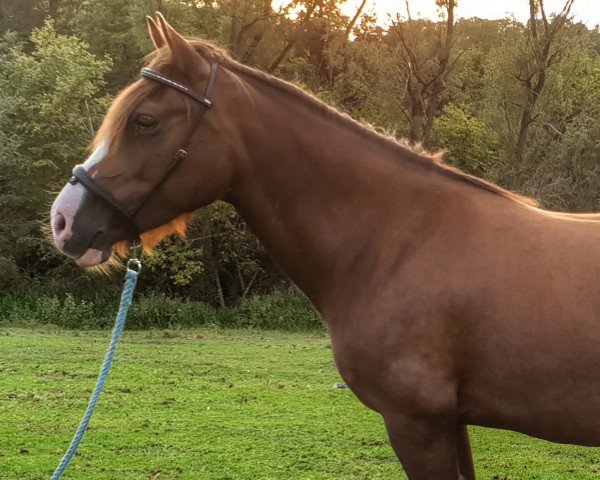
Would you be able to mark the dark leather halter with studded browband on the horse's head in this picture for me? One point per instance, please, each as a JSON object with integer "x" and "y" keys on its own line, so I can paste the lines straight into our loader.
{"x": 80, "y": 174}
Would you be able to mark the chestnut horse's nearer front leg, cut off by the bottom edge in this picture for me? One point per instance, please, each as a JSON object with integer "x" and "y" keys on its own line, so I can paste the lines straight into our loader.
{"x": 426, "y": 447}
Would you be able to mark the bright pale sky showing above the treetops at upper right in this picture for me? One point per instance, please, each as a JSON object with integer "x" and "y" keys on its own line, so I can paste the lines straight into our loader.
{"x": 587, "y": 11}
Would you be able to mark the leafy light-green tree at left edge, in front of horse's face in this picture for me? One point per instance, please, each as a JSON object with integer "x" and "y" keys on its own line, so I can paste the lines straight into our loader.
{"x": 48, "y": 99}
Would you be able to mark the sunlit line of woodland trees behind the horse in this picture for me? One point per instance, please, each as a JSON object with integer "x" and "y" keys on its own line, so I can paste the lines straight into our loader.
{"x": 513, "y": 103}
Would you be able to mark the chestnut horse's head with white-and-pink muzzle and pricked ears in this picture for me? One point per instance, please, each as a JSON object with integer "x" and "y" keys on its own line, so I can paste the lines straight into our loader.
{"x": 160, "y": 153}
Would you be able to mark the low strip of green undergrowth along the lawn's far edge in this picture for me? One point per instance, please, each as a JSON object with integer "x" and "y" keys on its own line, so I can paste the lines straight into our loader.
{"x": 278, "y": 311}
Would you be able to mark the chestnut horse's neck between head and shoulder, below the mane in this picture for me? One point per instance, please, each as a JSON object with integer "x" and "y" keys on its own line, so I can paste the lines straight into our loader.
{"x": 321, "y": 192}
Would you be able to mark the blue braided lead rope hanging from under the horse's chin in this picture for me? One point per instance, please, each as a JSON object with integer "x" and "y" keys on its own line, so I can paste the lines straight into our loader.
{"x": 133, "y": 269}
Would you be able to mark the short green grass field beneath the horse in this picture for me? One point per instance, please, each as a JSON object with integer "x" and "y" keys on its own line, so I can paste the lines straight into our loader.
{"x": 215, "y": 404}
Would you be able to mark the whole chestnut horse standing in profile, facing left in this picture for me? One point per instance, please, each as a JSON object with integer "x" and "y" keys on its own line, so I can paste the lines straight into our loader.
{"x": 450, "y": 301}
